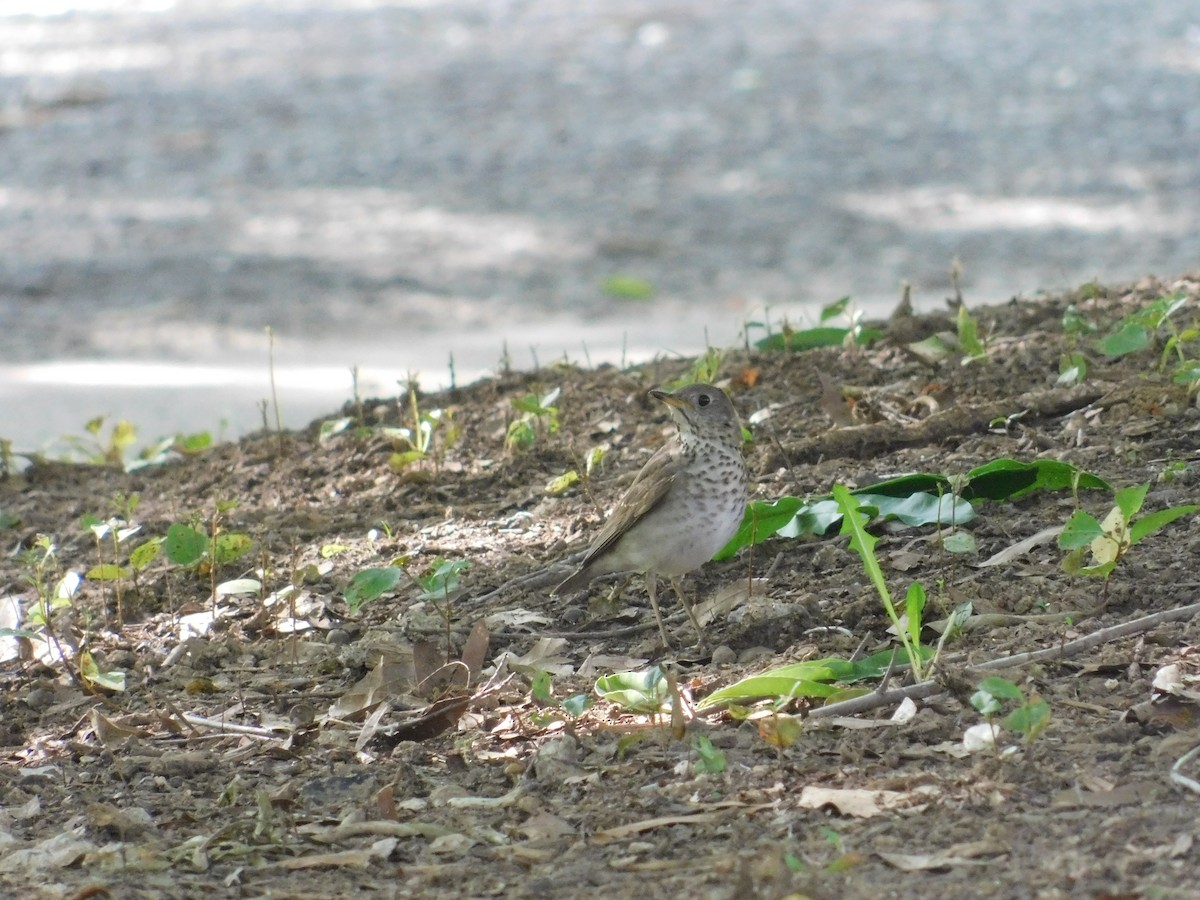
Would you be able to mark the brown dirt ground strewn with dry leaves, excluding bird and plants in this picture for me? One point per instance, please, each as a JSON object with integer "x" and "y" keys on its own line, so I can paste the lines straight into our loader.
{"x": 269, "y": 754}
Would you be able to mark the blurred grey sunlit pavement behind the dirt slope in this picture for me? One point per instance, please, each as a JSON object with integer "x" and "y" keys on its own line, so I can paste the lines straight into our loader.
{"x": 391, "y": 184}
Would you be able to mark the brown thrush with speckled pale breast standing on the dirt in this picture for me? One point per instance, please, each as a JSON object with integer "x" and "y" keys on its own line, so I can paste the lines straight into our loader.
{"x": 685, "y": 506}
